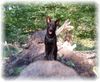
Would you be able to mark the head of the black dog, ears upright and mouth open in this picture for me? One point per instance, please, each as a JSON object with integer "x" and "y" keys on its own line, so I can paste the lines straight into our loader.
{"x": 51, "y": 26}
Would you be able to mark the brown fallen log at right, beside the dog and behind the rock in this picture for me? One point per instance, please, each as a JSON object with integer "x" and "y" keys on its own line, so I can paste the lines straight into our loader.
{"x": 82, "y": 61}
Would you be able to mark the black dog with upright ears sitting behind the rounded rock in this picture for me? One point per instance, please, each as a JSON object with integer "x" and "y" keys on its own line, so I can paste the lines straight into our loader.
{"x": 51, "y": 40}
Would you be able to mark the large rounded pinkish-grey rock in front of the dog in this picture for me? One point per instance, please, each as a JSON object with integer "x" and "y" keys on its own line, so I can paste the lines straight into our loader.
{"x": 47, "y": 69}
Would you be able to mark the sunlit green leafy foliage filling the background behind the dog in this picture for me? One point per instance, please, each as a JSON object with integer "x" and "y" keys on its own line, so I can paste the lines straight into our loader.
{"x": 20, "y": 19}
